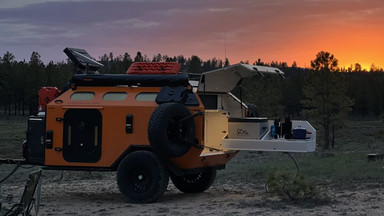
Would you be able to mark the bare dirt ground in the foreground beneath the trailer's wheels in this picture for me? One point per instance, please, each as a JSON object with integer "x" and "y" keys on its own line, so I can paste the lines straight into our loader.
{"x": 102, "y": 197}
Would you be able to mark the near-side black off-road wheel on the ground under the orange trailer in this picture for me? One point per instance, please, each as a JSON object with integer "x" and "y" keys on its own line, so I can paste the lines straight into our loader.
{"x": 141, "y": 177}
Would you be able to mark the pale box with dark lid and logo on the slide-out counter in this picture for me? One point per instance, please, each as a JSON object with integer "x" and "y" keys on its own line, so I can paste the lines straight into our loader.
{"x": 247, "y": 128}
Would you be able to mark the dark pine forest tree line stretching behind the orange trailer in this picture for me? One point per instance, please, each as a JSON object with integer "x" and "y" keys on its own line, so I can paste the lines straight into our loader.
{"x": 324, "y": 92}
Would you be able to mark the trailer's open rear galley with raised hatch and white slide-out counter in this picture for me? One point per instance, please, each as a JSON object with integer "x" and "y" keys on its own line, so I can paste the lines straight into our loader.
{"x": 228, "y": 129}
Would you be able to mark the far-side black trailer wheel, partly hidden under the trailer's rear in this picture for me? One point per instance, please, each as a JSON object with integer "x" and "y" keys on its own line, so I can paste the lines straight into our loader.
{"x": 194, "y": 183}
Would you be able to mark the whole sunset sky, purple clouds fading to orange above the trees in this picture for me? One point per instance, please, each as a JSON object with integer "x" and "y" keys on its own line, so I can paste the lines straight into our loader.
{"x": 273, "y": 30}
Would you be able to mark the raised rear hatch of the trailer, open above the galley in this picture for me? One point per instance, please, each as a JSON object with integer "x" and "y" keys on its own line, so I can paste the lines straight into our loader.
{"x": 226, "y": 79}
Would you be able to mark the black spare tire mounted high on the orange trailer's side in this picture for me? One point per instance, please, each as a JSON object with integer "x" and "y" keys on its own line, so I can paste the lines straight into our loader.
{"x": 167, "y": 134}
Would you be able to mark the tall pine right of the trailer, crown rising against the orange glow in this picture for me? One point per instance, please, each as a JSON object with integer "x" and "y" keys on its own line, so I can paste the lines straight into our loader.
{"x": 325, "y": 100}
